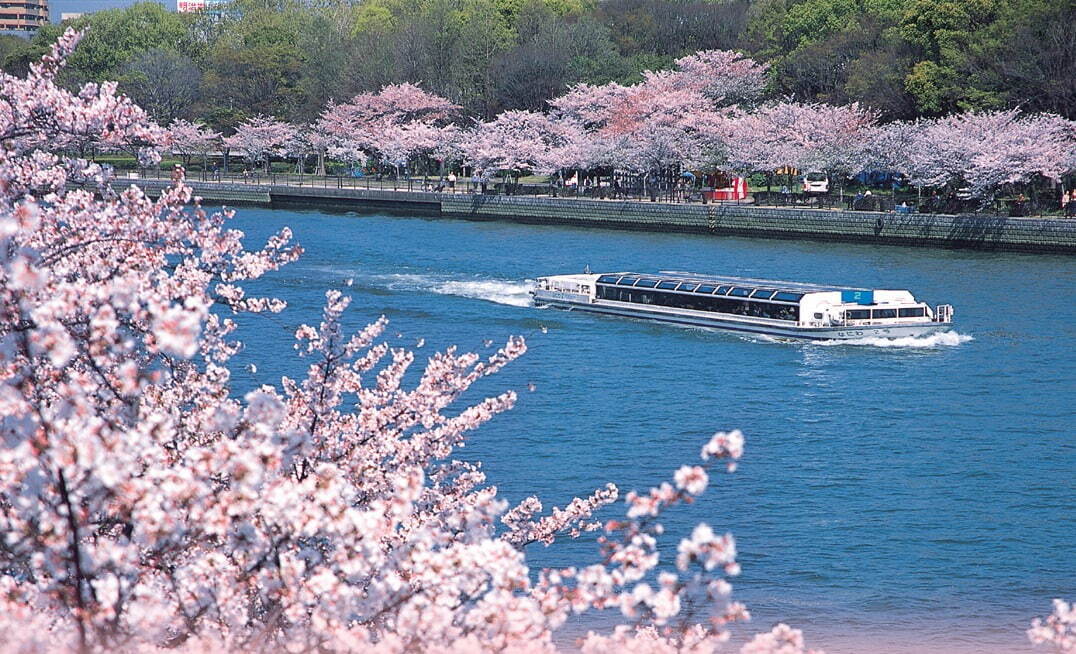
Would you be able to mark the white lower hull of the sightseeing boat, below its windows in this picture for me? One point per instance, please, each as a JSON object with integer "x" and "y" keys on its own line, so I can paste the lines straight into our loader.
{"x": 698, "y": 319}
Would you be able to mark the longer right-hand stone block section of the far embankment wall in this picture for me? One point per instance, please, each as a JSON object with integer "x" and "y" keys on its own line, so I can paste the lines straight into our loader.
{"x": 982, "y": 233}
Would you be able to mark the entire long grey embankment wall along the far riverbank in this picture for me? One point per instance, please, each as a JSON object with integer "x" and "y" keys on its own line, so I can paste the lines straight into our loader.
{"x": 1040, "y": 235}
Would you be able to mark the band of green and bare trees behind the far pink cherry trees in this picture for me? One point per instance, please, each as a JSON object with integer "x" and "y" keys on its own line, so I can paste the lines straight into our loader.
{"x": 905, "y": 59}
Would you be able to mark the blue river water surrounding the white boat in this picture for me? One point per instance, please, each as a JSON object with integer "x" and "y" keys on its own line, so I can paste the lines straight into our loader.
{"x": 909, "y": 497}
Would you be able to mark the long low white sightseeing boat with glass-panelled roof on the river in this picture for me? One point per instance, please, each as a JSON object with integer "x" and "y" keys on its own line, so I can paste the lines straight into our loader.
{"x": 764, "y": 307}
